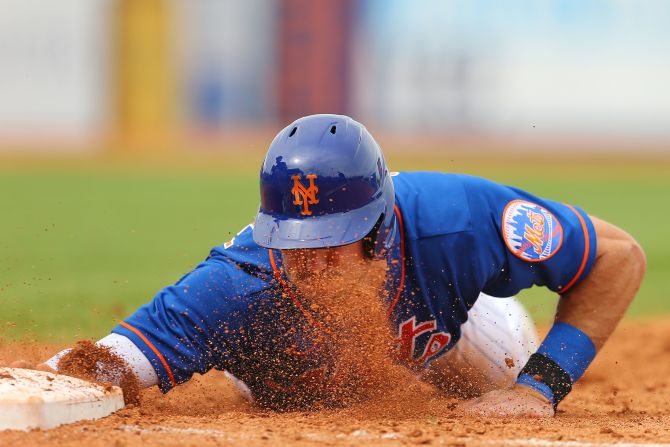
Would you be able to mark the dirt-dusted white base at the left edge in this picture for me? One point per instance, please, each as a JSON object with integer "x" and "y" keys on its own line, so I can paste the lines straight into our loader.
{"x": 36, "y": 399}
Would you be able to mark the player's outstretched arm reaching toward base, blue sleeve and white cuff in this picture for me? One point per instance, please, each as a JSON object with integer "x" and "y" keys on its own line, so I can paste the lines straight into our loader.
{"x": 192, "y": 326}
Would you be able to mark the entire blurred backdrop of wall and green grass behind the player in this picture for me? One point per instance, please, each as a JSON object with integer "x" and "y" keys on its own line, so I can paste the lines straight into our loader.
{"x": 131, "y": 131}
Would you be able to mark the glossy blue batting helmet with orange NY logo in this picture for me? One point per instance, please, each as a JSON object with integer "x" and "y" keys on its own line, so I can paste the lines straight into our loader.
{"x": 324, "y": 183}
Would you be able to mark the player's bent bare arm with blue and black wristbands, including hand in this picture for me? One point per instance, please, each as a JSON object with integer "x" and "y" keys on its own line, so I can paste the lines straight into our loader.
{"x": 586, "y": 317}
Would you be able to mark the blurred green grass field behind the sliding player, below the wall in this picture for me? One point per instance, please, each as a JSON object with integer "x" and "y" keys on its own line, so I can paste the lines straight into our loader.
{"x": 81, "y": 247}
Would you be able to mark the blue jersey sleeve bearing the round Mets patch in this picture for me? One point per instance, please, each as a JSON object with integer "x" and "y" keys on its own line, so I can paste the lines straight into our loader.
{"x": 527, "y": 240}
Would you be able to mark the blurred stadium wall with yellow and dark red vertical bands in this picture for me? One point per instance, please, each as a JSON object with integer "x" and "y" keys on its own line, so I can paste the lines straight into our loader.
{"x": 77, "y": 72}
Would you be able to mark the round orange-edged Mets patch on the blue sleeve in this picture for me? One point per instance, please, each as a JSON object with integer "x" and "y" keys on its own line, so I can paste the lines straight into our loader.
{"x": 531, "y": 232}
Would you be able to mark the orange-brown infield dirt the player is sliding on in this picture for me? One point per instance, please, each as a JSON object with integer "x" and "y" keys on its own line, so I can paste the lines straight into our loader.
{"x": 623, "y": 400}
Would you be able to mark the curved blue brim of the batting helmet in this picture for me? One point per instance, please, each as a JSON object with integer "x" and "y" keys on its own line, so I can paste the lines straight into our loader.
{"x": 329, "y": 230}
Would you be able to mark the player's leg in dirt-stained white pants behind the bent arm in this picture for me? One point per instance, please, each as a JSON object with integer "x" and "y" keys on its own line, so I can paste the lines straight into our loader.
{"x": 495, "y": 343}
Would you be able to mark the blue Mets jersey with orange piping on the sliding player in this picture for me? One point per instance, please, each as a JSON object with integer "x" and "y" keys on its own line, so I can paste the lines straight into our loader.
{"x": 457, "y": 236}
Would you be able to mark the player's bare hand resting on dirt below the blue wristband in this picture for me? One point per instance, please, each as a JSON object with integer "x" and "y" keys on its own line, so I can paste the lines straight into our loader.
{"x": 517, "y": 401}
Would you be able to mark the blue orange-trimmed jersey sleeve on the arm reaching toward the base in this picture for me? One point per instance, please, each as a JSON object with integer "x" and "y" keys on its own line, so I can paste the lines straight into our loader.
{"x": 193, "y": 325}
